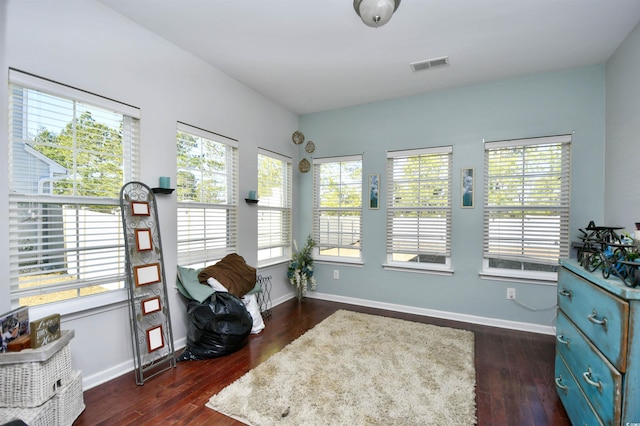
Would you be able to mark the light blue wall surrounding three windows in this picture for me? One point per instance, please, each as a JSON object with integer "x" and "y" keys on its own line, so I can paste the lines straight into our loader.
{"x": 539, "y": 105}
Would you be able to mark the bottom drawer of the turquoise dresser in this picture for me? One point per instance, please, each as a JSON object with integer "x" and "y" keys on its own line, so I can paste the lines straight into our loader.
{"x": 575, "y": 403}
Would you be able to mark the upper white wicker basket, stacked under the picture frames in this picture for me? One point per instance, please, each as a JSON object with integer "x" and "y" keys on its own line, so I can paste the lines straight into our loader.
{"x": 30, "y": 377}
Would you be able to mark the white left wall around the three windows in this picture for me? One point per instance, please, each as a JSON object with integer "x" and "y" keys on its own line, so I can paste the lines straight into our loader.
{"x": 84, "y": 44}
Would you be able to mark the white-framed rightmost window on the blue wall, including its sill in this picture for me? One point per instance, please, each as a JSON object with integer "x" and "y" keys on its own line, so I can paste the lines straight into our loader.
{"x": 548, "y": 240}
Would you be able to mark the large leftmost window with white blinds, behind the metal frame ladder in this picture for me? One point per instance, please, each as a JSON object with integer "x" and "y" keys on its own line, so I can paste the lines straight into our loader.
{"x": 70, "y": 152}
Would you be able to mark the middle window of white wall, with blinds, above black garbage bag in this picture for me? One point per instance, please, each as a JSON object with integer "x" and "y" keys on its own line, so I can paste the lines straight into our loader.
{"x": 207, "y": 184}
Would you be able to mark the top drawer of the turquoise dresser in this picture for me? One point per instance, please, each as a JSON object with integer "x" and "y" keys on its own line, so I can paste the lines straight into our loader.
{"x": 601, "y": 316}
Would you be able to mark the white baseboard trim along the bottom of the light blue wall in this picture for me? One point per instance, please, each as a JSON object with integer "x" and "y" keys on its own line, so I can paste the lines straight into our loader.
{"x": 473, "y": 319}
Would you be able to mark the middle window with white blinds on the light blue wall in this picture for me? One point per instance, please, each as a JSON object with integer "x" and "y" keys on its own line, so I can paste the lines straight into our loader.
{"x": 419, "y": 208}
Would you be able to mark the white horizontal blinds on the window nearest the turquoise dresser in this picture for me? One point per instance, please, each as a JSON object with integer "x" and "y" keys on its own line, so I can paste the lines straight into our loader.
{"x": 527, "y": 199}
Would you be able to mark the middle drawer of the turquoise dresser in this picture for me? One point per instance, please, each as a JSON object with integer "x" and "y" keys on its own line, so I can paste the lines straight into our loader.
{"x": 600, "y": 381}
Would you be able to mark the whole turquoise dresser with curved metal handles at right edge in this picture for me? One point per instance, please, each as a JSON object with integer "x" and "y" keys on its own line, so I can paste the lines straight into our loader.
{"x": 597, "y": 368}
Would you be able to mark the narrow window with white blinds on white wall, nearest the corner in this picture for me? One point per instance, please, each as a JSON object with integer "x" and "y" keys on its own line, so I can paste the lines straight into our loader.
{"x": 274, "y": 209}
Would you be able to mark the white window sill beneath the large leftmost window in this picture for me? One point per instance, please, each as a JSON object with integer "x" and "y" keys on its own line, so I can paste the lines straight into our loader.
{"x": 82, "y": 307}
